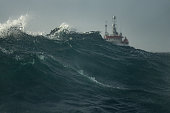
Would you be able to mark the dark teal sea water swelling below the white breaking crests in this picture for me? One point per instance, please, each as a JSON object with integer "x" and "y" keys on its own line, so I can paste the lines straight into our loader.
{"x": 82, "y": 75}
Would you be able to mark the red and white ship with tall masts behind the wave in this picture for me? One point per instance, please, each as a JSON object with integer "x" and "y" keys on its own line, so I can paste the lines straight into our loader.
{"x": 115, "y": 37}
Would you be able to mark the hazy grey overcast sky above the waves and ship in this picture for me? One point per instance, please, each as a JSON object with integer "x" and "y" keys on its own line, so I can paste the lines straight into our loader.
{"x": 146, "y": 23}
